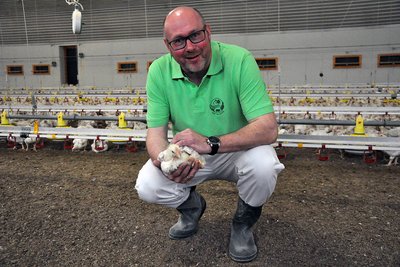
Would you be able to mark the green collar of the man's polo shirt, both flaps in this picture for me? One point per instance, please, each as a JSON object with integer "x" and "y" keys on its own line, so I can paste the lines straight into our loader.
{"x": 215, "y": 66}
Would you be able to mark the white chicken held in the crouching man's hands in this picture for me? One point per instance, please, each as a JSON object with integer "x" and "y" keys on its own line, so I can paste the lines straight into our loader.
{"x": 175, "y": 155}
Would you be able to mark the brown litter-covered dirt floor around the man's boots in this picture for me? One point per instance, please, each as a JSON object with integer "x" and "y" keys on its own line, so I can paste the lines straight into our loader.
{"x": 60, "y": 208}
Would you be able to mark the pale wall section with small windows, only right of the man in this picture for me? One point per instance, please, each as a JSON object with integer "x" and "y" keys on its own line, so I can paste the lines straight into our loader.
{"x": 304, "y": 55}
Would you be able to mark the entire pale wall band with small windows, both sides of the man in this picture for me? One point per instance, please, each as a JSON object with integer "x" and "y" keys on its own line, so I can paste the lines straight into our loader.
{"x": 302, "y": 56}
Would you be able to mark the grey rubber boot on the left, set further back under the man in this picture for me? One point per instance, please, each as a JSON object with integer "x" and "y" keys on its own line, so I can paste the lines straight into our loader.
{"x": 190, "y": 213}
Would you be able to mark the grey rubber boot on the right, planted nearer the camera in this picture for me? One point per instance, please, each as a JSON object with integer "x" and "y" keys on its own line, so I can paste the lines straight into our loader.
{"x": 242, "y": 247}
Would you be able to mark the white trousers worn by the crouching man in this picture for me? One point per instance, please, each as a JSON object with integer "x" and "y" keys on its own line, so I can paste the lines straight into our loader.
{"x": 254, "y": 171}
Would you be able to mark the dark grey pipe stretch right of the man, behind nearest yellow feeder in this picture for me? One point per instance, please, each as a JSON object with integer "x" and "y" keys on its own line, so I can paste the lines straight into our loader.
{"x": 339, "y": 122}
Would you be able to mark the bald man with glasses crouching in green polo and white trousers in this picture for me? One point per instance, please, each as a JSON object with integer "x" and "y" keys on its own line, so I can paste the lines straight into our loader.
{"x": 216, "y": 101}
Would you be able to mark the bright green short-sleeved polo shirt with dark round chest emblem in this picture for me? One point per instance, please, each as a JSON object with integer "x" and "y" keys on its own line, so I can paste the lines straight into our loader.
{"x": 230, "y": 94}
